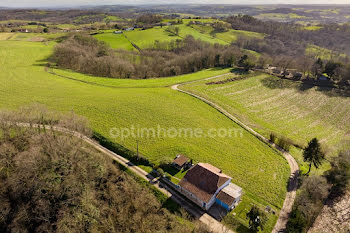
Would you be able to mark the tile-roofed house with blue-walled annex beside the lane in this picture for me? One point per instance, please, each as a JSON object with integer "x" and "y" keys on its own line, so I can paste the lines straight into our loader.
{"x": 205, "y": 185}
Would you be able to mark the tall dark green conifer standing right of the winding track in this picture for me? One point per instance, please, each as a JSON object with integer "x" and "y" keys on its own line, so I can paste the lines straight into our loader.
{"x": 313, "y": 154}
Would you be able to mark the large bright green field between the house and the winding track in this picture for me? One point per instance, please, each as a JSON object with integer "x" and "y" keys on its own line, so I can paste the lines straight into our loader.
{"x": 260, "y": 171}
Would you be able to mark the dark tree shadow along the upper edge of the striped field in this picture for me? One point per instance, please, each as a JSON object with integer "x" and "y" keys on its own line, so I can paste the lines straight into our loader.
{"x": 303, "y": 86}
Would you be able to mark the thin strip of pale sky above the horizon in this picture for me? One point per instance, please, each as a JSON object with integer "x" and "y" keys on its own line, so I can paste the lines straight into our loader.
{"x": 70, "y": 3}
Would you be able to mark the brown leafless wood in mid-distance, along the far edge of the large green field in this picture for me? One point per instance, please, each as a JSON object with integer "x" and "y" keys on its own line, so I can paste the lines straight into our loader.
{"x": 85, "y": 54}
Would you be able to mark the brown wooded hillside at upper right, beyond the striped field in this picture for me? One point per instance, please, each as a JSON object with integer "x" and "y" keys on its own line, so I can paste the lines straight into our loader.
{"x": 285, "y": 46}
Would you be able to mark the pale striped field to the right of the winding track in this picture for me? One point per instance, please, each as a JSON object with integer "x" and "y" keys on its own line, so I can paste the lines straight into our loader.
{"x": 269, "y": 104}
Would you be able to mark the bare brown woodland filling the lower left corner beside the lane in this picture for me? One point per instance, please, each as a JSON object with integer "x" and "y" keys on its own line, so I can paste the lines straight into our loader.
{"x": 51, "y": 182}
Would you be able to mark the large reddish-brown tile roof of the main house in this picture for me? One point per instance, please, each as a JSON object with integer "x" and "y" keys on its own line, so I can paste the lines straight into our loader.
{"x": 203, "y": 180}
